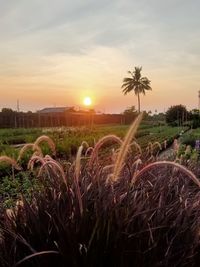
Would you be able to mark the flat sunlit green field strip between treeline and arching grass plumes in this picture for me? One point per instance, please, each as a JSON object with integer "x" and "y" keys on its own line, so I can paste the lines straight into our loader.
{"x": 67, "y": 140}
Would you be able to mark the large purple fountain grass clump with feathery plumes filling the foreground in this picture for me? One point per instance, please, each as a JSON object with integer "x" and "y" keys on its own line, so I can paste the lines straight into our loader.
{"x": 147, "y": 215}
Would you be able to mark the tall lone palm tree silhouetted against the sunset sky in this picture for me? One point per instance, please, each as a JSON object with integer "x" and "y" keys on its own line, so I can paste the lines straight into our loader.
{"x": 136, "y": 83}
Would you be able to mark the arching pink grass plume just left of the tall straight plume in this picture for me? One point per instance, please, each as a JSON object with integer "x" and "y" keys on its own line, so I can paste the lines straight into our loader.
{"x": 100, "y": 143}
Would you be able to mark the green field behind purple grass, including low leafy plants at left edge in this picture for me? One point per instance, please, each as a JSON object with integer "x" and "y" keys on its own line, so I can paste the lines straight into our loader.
{"x": 67, "y": 141}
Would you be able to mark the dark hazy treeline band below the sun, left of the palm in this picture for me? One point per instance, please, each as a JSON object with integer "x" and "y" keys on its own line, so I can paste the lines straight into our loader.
{"x": 14, "y": 119}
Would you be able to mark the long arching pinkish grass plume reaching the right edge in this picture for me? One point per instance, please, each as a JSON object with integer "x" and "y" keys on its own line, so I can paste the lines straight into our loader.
{"x": 183, "y": 169}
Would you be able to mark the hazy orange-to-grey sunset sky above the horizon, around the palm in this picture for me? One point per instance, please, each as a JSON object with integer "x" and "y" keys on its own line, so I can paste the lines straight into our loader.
{"x": 54, "y": 53}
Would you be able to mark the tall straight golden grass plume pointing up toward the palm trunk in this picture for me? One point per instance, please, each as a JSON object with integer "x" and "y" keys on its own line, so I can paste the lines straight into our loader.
{"x": 125, "y": 147}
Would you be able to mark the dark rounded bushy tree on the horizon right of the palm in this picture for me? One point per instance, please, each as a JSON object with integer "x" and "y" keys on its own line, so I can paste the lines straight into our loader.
{"x": 176, "y": 115}
